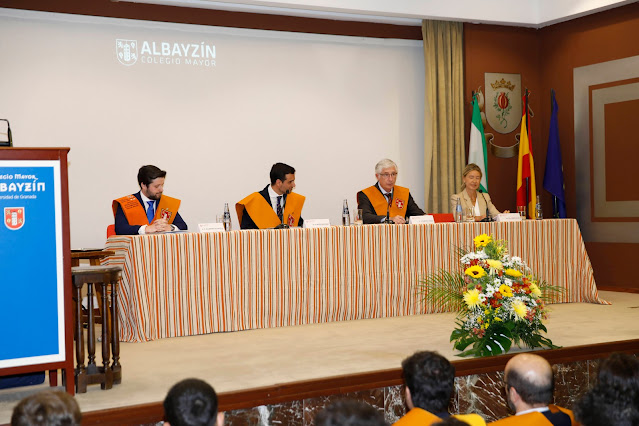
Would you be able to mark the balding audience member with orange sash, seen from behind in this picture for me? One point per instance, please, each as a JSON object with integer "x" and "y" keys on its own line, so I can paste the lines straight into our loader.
{"x": 529, "y": 392}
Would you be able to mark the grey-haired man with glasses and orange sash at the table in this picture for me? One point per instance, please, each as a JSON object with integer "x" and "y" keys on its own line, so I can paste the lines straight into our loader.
{"x": 386, "y": 198}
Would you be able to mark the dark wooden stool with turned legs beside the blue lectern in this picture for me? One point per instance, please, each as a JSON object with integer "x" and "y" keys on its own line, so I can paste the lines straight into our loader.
{"x": 109, "y": 373}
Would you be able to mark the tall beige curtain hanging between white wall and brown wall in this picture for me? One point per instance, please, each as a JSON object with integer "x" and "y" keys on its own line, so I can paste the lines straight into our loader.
{"x": 444, "y": 148}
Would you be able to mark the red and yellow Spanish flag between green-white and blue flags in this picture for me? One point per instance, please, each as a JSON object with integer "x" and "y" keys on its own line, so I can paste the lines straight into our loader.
{"x": 526, "y": 189}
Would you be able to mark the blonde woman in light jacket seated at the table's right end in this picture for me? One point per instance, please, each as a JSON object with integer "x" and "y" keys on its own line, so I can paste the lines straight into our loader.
{"x": 472, "y": 197}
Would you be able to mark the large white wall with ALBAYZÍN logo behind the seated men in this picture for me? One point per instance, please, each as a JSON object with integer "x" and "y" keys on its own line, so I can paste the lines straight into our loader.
{"x": 329, "y": 106}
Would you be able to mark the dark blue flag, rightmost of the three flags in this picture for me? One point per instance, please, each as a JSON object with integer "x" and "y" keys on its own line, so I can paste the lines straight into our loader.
{"x": 554, "y": 174}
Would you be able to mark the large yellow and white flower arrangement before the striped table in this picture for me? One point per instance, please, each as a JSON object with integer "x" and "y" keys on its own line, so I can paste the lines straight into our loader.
{"x": 498, "y": 300}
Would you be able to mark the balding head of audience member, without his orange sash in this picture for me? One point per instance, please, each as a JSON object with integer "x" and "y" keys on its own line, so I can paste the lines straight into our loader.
{"x": 529, "y": 382}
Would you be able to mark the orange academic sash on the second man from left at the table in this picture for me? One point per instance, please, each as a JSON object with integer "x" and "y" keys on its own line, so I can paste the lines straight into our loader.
{"x": 263, "y": 214}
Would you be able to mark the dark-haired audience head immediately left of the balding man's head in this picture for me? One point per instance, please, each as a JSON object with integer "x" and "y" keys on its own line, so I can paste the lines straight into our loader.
{"x": 429, "y": 379}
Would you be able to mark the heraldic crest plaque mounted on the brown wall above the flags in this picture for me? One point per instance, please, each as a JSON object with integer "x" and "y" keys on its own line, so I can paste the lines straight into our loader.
{"x": 503, "y": 101}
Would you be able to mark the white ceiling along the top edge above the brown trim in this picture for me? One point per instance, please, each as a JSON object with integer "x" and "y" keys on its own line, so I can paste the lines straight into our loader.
{"x": 524, "y": 13}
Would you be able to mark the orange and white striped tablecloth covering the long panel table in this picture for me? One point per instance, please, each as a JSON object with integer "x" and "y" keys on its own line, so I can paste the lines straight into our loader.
{"x": 192, "y": 283}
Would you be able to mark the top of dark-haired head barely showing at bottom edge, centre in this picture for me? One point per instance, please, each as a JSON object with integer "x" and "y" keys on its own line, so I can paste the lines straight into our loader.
{"x": 350, "y": 413}
